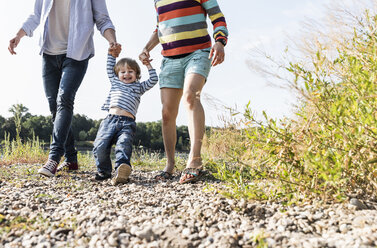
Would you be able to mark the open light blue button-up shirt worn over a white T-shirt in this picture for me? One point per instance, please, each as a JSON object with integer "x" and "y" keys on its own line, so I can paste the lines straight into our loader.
{"x": 83, "y": 15}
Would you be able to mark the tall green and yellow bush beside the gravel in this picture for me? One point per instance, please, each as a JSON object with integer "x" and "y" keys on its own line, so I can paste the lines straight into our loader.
{"x": 330, "y": 149}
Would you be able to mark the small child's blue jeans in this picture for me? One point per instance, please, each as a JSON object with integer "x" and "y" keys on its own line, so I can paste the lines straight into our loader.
{"x": 118, "y": 130}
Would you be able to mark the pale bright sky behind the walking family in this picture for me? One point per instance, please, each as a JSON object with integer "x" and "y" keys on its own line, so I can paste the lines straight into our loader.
{"x": 252, "y": 24}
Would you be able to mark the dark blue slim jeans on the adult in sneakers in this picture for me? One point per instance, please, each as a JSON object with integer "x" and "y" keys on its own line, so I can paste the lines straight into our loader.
{"x": 62, "y": 77}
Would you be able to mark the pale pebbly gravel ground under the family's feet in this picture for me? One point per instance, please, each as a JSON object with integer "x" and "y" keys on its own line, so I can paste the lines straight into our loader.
{"x": 71, "y": 210}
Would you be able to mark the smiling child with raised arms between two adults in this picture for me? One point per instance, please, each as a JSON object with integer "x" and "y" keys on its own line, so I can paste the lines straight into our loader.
{"x": 119, "y": 126}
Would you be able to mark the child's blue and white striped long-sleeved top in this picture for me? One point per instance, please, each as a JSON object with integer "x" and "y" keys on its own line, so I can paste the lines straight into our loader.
{"x": 126, "y": 96}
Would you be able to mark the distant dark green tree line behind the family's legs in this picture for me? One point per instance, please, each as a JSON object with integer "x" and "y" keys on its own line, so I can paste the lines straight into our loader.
{"x": 148, "y": 134}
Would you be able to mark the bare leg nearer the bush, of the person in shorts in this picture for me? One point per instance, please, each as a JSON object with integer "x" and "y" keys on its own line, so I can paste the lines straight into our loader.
{"x": 191, "y": 97}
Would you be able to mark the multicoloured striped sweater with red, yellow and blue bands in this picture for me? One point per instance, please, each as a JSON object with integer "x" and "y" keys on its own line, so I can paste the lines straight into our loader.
{"x": 182, "y": 26}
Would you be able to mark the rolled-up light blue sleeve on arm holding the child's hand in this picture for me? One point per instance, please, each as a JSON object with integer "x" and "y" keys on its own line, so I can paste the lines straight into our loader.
{"x": 101, "y": 16}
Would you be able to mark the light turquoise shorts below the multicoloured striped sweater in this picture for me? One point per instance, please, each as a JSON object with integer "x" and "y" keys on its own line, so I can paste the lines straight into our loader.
{"x": 174, "y": 70}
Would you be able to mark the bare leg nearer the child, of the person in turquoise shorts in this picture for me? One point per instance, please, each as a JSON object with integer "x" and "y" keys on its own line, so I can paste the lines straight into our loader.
{"x": 170, "y": 99}
